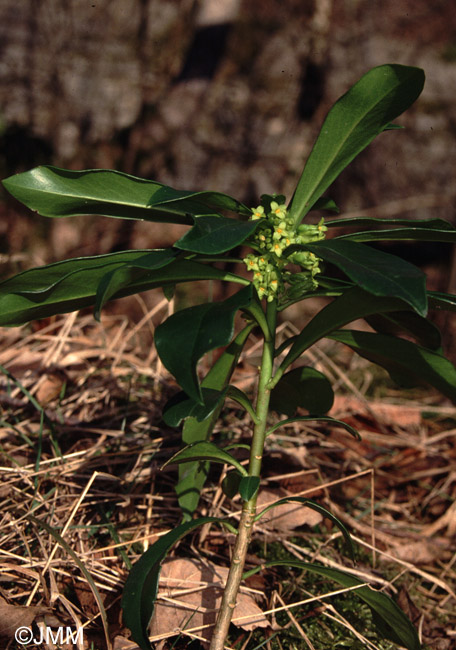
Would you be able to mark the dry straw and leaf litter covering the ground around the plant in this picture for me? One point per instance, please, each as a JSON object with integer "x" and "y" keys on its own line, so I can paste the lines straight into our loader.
{"x": 82, "y": 444}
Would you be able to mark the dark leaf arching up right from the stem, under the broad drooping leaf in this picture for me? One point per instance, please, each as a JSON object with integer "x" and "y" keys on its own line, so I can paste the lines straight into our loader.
{"x": 352, "y": 304}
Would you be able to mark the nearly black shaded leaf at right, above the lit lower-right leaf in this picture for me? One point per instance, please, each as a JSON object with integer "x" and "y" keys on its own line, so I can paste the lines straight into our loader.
{"x": 398, "y": 323}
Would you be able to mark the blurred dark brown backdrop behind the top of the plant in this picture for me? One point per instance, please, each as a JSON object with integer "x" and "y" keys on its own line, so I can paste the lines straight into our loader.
{"x": 226, "y": 95}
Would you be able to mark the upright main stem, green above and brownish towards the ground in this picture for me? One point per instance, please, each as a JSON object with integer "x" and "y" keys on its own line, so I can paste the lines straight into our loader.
{"x": 249, "y": 507}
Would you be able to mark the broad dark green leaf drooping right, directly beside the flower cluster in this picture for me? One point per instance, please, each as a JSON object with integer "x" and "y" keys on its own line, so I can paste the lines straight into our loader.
{"x": 375, "y": 271}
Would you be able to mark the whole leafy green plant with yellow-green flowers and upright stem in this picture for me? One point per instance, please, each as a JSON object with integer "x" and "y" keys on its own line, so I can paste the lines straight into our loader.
{"x": 282, "y": 263}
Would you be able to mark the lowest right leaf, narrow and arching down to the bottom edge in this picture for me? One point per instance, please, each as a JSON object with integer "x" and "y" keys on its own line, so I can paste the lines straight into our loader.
{"x": 395, "y": 624}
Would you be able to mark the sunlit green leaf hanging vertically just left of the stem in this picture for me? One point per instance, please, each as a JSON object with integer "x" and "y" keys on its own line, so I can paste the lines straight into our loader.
{"x": 192, "y": 475}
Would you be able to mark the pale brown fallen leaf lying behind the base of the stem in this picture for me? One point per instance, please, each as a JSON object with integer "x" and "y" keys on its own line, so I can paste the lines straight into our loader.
{"x": 190, "y": 595}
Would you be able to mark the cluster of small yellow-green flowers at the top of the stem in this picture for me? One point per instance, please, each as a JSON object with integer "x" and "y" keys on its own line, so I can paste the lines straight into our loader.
{"x": 273, "y": 236}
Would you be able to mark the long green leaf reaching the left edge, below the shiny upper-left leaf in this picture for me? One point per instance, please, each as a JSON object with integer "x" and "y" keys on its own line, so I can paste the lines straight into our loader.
{"x": 72, "y": 284}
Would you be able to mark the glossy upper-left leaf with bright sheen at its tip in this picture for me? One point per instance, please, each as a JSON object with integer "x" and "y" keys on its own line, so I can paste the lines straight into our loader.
{"x": 55, "y": 192}
